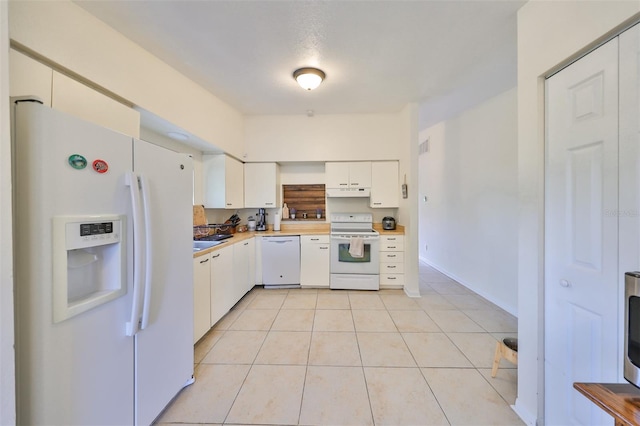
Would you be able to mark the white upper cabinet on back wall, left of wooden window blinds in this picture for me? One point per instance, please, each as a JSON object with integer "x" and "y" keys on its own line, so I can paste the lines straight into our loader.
{"x": 261, "y": 185}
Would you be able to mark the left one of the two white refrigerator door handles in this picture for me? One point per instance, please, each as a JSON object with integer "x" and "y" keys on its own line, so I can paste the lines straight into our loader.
{"x": 133, "y": 182}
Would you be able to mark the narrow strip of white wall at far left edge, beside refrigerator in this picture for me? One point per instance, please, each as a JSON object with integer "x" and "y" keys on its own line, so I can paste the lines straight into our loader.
{"x": 7, "y": 370}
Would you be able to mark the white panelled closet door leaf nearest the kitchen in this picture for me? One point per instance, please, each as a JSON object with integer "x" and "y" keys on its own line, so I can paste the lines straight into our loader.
{"x": 581, "y": 235}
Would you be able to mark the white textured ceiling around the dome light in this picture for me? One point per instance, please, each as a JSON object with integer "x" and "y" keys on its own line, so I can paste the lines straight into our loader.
{"x": 378, "y": 55}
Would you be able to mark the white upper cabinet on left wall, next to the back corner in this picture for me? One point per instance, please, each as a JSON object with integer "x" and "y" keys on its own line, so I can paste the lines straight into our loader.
{"x": 223, "y": 182}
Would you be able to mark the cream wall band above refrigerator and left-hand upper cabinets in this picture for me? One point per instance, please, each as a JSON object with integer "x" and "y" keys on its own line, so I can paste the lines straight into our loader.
{"x": 67, "y": 36}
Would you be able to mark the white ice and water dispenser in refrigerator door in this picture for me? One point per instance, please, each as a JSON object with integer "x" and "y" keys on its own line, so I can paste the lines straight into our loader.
{"x": 89, "y": 262}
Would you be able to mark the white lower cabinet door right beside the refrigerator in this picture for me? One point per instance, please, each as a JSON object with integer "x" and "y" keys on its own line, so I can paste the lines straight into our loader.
{"x": 201, "y": 296}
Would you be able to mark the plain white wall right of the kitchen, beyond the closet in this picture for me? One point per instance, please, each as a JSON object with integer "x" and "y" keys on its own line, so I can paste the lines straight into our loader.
{"x": 470, "y": 219}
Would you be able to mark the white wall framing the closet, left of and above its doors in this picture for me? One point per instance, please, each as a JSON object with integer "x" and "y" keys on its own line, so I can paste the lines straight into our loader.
{"x": 550, "y": 33}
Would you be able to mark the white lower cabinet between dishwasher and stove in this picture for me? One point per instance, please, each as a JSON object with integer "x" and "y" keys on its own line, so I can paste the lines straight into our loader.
{"x": 314, "y": 261}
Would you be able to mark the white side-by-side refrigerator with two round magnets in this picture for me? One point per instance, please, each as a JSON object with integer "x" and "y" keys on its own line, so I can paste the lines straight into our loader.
{"x": 103, "y": 272}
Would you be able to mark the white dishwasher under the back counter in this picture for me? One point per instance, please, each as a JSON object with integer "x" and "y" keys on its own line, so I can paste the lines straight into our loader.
{"x": 281, "y": 261}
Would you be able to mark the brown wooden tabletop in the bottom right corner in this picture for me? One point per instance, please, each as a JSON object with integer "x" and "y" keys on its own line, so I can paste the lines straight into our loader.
{"x": 620, "y": 400}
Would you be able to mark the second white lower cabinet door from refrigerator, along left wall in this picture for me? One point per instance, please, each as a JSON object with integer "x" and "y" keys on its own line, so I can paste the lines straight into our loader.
{"x": 222, "y": 298}
